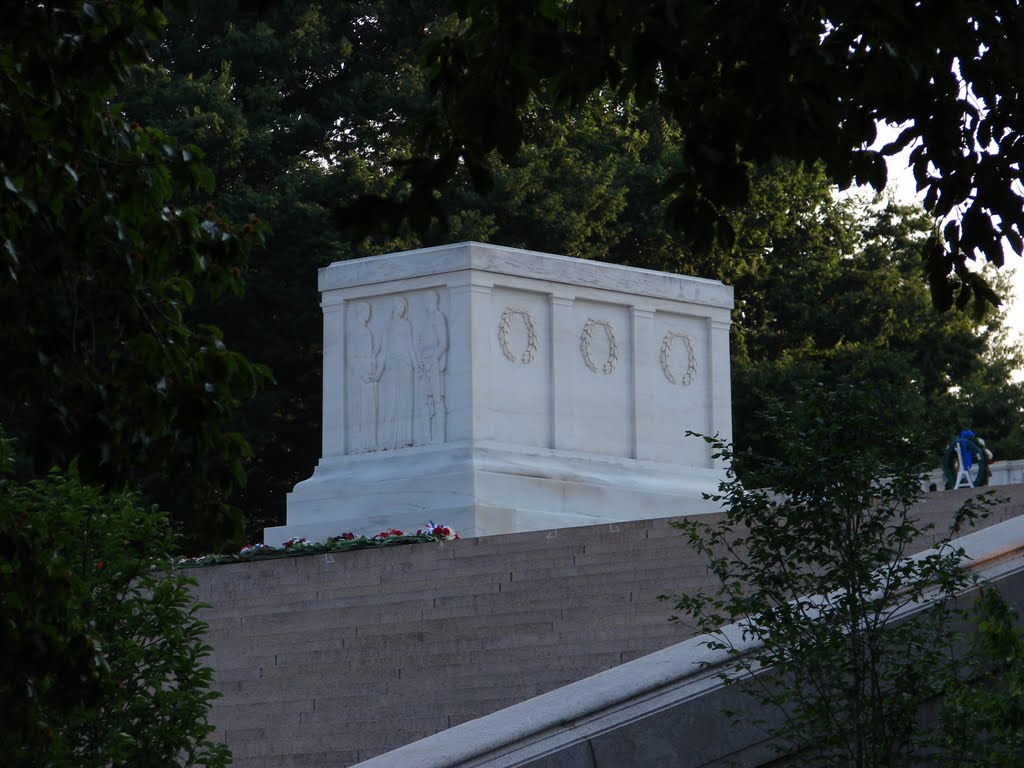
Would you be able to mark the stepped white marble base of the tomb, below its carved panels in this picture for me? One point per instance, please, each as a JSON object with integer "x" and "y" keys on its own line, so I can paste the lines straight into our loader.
{"x": 488, "y": 490}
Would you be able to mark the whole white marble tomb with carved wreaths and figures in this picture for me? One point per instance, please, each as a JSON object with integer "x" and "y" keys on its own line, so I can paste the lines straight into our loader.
{"x": 501, "y": 391}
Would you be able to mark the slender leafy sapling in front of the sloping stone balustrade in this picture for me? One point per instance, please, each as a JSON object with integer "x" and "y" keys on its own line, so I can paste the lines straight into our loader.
{"x": 817, "y": 571}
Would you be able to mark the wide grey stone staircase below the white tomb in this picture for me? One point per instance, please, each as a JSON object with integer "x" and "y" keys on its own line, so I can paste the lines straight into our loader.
{"x": 331, "y": 660}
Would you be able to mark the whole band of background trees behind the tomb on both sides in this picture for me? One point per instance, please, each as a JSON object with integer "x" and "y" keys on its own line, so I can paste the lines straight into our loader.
{"x": 588, "y": 182}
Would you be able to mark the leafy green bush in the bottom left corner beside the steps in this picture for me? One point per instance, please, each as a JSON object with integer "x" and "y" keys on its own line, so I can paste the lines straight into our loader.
{"x": 102, "y": 641}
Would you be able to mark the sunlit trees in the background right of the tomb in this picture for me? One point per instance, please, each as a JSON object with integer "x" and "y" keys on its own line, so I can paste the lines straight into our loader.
{"x": 829, "y": 288}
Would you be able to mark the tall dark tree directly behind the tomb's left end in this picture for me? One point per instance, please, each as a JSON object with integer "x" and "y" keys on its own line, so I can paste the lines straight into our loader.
{"x": 296, "y": 109}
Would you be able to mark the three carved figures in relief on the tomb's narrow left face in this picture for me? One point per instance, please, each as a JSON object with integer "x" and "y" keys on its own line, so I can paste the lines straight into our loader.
{"x": 401, "y": 399}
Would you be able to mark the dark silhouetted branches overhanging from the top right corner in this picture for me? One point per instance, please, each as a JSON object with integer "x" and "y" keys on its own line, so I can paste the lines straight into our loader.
{"x": 748, "y": 83}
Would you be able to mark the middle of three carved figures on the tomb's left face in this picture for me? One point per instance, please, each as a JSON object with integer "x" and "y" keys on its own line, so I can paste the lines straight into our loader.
{"x": 398, "y": 380}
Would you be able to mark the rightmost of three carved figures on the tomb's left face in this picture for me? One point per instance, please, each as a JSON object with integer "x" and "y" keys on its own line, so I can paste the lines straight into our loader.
{"x": 432, "y": 351}
